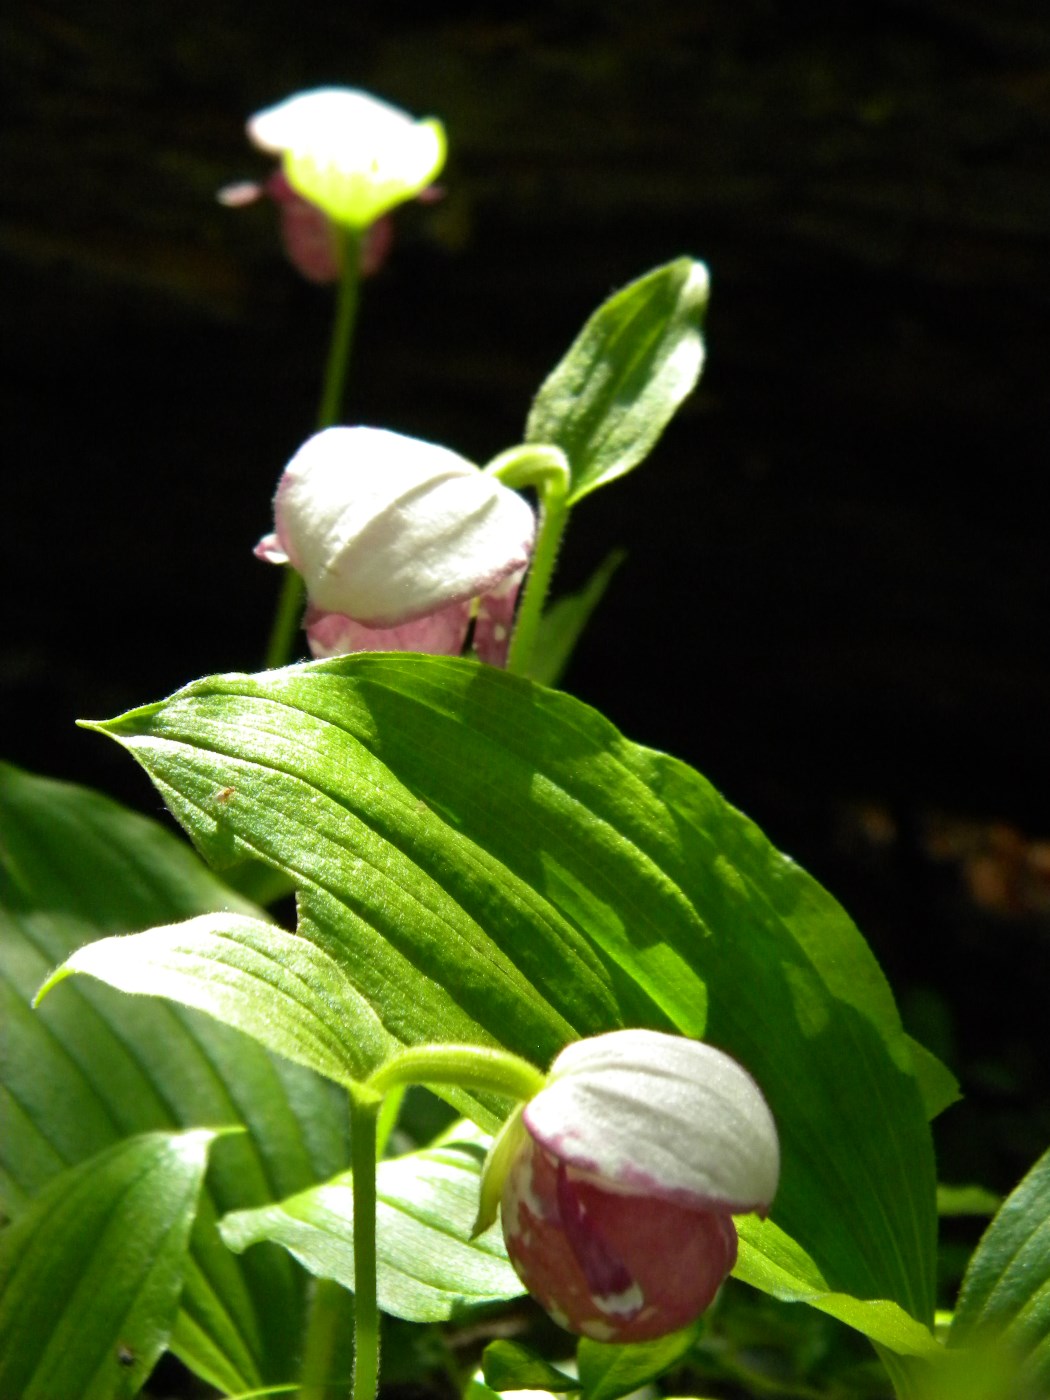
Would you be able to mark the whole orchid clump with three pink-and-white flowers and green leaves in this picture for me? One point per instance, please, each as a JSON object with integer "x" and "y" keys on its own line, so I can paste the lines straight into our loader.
{"x": 554, "y": 1017}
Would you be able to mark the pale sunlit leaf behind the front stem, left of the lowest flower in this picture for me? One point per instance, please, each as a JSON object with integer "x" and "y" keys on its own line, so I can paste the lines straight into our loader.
{"x": 429, "y": 1268}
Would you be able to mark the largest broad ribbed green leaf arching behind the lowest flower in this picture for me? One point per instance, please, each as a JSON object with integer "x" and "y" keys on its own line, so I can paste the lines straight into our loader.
{"x": 493, "y": 863}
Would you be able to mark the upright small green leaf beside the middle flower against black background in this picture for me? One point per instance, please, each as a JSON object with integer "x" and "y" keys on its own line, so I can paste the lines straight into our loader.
{"x": 607, "y": 404}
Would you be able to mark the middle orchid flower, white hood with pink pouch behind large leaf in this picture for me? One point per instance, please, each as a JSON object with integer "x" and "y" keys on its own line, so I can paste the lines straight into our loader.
{"x": 400, "y": 542}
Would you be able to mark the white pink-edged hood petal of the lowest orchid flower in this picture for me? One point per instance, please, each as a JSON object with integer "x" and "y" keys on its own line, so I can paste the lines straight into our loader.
{"x": 640, "y": 1109}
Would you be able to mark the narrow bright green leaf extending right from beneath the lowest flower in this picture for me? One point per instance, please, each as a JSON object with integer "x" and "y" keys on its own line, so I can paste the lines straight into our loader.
{"x": 773, "y": 1262}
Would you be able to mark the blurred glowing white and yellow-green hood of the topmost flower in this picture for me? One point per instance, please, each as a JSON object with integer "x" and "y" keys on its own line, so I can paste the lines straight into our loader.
{"x": 351, "y": 155}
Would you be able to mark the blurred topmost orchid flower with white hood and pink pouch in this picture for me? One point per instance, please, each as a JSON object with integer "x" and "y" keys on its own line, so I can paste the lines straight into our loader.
{"x": 348, "y": 159}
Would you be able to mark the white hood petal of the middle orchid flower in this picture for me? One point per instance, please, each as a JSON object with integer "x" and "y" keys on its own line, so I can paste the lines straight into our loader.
{"x": 388, "y": 528}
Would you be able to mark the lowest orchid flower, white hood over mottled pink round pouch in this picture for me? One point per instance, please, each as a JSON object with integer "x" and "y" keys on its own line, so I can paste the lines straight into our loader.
{"x": 624, "y": 1175}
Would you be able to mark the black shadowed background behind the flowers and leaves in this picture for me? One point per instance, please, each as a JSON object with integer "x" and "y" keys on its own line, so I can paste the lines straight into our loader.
{"x": 835, "y": 601}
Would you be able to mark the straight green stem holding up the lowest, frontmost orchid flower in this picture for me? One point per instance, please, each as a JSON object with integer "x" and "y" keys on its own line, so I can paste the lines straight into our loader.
{"x": 365, "y": 1112}
